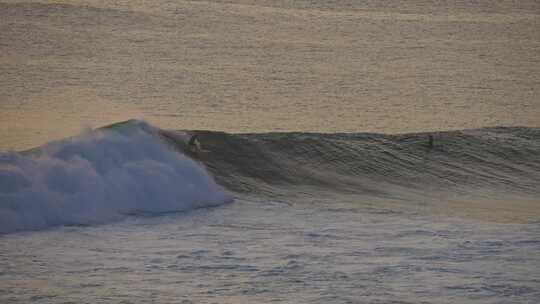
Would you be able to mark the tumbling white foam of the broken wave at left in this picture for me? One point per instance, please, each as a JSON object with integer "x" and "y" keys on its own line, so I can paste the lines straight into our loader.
{"x": 99, "y": 177}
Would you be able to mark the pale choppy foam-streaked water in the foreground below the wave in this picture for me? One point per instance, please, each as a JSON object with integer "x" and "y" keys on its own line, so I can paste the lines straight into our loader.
{"x": 249, "y": 252}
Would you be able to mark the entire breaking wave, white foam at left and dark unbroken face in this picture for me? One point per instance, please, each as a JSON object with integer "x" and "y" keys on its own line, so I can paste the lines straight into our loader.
{"x": 132, "y": 167}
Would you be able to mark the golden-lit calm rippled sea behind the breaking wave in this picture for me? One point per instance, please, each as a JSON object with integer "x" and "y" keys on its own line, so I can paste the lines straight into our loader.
{"x": 252, "y": 66}
